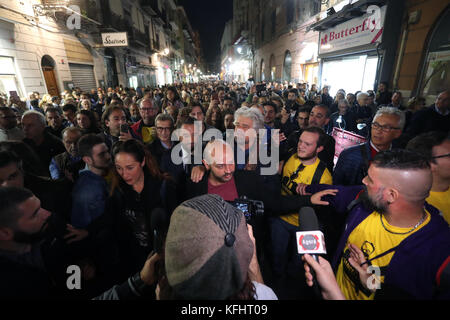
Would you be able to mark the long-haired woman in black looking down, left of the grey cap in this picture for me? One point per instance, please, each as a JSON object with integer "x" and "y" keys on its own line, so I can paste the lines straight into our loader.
{"x": 138, "y": 190}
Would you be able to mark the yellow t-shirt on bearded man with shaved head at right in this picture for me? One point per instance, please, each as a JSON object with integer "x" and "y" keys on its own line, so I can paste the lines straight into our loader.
{"x": 373, "y": 240}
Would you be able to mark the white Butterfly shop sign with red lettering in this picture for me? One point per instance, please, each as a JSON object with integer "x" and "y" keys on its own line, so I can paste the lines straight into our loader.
{"x": 356, "y": 32}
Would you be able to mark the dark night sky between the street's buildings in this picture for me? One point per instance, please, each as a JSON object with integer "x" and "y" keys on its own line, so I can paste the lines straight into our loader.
{"x": 209, "y": 18}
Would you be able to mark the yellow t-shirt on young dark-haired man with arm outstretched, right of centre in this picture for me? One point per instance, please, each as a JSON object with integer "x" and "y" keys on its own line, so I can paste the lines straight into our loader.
{"x": 305, "y": 176}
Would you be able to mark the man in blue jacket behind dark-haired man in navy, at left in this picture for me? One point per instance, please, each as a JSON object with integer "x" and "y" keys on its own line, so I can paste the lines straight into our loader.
{"x": 69, "y": 163}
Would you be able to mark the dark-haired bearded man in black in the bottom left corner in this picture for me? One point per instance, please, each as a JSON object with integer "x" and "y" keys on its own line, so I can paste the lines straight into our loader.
{"x": 33, "y": 259}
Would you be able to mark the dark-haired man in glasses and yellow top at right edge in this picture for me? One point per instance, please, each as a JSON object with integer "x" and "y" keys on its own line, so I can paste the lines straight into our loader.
{"x": 435, "y": 146}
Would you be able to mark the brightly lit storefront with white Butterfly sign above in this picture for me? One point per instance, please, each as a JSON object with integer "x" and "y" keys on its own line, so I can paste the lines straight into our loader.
{"x": 348, "y": 53}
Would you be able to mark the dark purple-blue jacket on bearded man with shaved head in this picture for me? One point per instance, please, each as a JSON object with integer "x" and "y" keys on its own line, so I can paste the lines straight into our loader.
{"x": 415, "y": 269}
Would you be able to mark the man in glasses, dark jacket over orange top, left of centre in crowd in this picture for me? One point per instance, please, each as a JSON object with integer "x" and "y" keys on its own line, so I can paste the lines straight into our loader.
{"x": 144, "y": 129}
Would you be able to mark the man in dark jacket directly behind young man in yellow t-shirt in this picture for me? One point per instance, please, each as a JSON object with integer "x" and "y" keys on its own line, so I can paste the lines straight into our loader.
{"x": 319, "y": 117}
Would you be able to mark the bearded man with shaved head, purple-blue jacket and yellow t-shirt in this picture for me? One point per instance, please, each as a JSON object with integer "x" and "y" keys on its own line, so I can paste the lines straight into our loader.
{"x": 391, "y": 231}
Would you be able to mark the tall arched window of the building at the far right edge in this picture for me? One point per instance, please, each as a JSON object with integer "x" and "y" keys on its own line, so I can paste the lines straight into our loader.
{"x": 436, "y": 73}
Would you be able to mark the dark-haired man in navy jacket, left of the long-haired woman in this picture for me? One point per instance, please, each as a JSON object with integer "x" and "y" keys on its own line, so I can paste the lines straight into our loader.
{"x": 90, "y": 191}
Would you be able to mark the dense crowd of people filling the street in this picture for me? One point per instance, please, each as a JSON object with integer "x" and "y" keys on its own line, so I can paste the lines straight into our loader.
{"x": 128, "y": 185}
